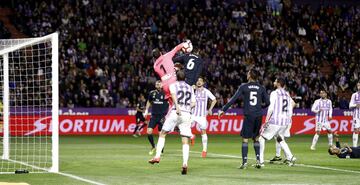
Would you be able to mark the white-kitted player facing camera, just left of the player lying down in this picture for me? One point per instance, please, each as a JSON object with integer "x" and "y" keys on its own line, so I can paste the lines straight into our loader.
{"x": 323, "y": 109}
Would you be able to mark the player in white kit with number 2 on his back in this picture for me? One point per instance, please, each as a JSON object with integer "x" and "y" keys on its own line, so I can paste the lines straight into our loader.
{"x": 277, "y": 121}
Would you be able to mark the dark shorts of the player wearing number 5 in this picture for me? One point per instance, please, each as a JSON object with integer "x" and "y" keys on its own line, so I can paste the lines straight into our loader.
{"x": 251, "y": 126}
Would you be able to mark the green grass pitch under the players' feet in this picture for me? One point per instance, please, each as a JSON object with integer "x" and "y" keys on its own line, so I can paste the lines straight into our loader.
{"x": 123, "y": 160}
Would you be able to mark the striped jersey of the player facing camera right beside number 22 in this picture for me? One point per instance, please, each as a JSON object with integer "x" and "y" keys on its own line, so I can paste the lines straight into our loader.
{"x": 202, "y": 96}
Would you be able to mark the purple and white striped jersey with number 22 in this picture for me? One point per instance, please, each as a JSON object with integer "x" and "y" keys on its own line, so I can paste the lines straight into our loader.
{"x": 184, "y": 94}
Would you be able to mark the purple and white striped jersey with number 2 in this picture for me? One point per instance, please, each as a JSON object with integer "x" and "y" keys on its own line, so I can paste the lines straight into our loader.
{"x": 281, "y": 108}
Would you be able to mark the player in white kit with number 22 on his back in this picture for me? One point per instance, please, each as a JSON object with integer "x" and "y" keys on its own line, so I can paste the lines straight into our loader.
{"x": 180, "y": 115}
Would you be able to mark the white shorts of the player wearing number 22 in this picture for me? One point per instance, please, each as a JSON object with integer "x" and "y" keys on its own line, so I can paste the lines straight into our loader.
{"x": 183, "y": 122}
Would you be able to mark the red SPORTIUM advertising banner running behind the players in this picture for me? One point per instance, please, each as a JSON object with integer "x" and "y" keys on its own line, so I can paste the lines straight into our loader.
{"x": 123, "y": 125}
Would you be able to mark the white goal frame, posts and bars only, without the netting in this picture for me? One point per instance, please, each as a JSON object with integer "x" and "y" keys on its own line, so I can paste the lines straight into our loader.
{"x": 54, "y": 37}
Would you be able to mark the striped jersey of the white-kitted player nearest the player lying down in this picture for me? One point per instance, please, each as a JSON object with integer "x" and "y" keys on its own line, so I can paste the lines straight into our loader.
{"x": 323, "y": 110}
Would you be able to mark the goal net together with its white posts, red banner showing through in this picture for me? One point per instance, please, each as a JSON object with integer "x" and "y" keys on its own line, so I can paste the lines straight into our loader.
{"x": 29, "y": 105}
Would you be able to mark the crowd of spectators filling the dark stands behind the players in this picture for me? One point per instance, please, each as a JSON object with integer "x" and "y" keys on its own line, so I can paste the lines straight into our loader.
{"x": 105, "y": 48}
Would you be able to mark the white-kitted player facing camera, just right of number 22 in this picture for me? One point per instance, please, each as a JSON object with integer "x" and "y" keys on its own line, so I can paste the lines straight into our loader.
{"x": 199, "y": 113}
